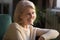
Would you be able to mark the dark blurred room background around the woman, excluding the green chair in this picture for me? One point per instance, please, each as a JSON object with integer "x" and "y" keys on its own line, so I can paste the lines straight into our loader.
{"x": 48, "y": 12}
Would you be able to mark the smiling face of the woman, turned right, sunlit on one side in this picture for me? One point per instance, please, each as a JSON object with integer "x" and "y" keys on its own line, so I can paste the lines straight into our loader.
{"x": 28, "y": 16}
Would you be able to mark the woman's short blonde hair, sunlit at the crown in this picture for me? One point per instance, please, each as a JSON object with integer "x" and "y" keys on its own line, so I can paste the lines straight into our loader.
{"x": 20, "y": 7}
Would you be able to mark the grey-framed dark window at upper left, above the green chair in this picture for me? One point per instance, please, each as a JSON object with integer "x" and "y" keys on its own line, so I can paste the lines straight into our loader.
{"x": 6, "y": 6}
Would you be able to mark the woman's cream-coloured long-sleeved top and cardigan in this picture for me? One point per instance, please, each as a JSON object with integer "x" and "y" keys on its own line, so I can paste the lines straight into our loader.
{"x": 17, "y": 32}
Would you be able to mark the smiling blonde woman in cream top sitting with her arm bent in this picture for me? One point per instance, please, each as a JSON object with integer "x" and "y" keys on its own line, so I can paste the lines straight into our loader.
{"x": 22, "y": 28}
